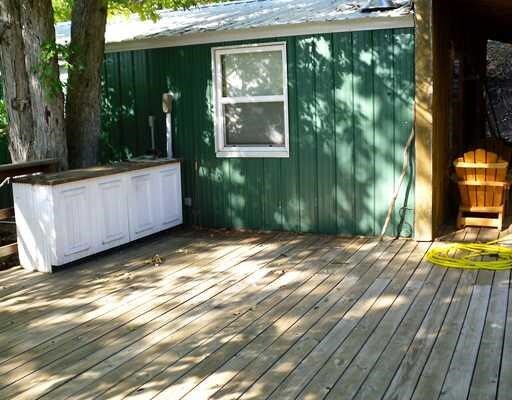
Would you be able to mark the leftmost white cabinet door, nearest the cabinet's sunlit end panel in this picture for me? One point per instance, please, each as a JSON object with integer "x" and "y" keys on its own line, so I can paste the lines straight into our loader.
{"x": 73, "y": 224}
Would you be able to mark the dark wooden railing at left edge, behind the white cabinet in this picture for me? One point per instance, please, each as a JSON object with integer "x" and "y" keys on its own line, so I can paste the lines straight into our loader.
{"x": 8, "y": 171}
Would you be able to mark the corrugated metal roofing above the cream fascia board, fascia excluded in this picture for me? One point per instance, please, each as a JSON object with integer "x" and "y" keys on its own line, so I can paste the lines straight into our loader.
{"x": 238, "y": 15}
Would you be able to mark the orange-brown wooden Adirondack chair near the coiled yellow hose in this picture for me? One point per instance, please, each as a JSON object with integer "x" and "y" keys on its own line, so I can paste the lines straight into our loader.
{"x": 483, "y": 189}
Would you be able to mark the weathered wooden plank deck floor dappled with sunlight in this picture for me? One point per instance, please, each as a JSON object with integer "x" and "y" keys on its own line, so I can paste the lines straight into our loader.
{"x": 257, "y": 316}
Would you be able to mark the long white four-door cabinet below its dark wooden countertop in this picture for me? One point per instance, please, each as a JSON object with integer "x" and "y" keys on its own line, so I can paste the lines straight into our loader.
{"x": 60, "y": 223}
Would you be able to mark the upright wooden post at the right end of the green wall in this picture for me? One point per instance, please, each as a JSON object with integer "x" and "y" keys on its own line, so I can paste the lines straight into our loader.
{"x": 424, "y": 54}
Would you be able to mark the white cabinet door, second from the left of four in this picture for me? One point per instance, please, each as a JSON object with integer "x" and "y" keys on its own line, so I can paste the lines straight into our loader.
{"x": 112, "y": 212}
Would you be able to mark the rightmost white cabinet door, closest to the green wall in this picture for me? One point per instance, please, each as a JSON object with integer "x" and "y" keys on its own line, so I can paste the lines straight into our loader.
{"x": 169, "y": 197}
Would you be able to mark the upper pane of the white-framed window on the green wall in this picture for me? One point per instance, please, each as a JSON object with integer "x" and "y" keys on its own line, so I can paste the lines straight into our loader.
{"x": 252, "y": 74}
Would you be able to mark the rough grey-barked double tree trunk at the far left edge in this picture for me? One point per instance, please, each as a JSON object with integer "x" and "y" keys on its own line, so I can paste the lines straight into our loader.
{"x": 36, "y": 121}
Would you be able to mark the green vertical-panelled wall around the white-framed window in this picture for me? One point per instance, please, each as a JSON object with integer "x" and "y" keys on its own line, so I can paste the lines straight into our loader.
{"x": 350, "y": 107}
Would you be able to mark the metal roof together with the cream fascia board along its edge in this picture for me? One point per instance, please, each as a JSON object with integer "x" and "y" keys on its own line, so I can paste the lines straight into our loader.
{"x": 247, "y": 20}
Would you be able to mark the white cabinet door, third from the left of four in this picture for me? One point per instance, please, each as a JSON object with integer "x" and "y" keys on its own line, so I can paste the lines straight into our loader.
{"x": 141, "y": 205}
